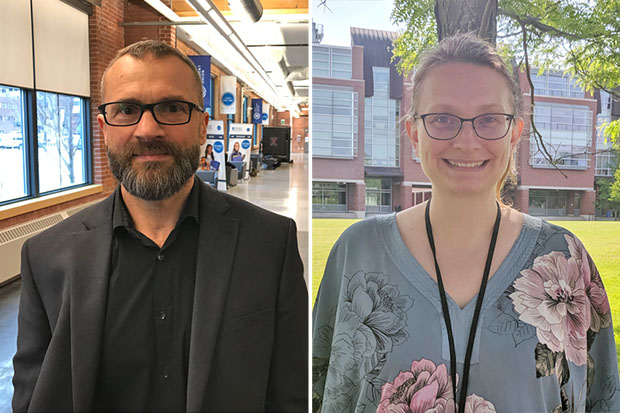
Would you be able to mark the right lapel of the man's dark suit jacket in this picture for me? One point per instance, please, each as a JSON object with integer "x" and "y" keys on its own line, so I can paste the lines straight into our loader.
{"x": 217, "y": 241}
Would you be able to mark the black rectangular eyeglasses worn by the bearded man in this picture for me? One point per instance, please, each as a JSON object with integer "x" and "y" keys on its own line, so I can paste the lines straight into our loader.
{"x": 170, "y": 112}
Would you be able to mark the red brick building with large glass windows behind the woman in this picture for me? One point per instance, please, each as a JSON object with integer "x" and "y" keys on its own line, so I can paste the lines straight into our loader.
{"x": 364, "y": 163}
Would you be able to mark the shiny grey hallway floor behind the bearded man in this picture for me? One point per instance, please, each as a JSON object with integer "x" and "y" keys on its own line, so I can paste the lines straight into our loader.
{"x": 283, "y": 190}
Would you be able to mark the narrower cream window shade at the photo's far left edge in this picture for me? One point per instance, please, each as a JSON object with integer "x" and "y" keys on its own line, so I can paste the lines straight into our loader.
{"x": 15, "y": 44}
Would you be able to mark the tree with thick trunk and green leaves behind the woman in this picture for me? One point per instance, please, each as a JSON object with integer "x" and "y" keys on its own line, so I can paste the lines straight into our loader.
{"x": 581, "y": 36}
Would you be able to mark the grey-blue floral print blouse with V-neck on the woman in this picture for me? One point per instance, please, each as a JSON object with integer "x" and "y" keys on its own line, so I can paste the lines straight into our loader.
{"x": 544, "y": 342}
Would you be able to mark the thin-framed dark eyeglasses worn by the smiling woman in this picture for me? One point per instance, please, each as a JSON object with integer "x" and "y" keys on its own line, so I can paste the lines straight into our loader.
{"x": 444, "y": 126}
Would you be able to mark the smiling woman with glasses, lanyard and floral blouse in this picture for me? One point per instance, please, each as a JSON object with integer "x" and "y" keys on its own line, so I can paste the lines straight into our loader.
{"x": 462, "y": 292}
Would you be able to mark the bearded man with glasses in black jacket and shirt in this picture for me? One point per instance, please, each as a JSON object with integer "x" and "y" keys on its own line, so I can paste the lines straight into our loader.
{"x": 167, "y": 295}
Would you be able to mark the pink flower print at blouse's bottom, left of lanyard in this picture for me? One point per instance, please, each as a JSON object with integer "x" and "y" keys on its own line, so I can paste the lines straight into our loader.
{"x": 425, "y": 388}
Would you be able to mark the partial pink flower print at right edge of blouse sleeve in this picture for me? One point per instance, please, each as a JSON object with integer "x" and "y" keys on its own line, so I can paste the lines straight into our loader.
{"x": 599, "y": 305}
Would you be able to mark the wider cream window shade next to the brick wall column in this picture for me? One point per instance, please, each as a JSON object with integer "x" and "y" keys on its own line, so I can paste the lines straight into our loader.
{"x": 61, "y": 48}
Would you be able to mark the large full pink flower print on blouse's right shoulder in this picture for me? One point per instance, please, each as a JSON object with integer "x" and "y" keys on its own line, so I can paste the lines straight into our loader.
{"x": 551, "y": 296}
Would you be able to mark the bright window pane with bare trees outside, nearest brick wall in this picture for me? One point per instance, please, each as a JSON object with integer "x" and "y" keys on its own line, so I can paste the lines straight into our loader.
{"x": 60, "y": 141}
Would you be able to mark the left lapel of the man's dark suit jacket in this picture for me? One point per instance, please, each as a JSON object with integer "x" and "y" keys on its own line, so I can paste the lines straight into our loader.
{"x": 88, "y": 298}
